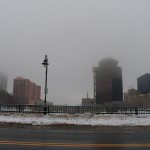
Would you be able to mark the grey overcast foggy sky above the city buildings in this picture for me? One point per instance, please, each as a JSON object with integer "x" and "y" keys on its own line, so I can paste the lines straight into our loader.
{"x": 76, "y": 35}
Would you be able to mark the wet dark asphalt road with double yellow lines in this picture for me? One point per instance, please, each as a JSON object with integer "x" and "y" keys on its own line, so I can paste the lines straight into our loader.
{"x": 45, "y": 139}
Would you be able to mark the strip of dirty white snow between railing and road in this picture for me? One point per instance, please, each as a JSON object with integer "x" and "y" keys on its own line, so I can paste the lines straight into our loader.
{"x": 76, "y": 119}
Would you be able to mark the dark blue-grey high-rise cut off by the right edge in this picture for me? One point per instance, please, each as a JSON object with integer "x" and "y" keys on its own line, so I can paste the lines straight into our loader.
{"x": 143, "y": 83}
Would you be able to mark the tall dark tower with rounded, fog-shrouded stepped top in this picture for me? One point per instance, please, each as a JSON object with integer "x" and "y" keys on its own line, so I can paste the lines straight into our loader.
{"x": 108, "y": 81}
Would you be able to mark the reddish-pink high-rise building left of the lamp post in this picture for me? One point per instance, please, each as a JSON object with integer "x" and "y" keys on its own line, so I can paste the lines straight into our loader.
{"x": 25, "y": 91}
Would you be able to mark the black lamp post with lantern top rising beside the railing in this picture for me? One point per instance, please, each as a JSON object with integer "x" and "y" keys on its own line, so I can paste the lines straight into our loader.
{"x": 45, "y": 64}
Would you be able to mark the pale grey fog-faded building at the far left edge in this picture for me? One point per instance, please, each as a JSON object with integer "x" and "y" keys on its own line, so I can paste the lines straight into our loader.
{"x": 3, "y": 82}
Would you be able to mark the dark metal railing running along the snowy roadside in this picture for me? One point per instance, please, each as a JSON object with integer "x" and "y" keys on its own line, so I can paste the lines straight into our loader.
{"x": 74, "y": 109}
